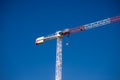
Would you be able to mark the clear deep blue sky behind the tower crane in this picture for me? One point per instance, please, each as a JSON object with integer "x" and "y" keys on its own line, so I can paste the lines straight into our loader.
{"x": 91, "y": 55}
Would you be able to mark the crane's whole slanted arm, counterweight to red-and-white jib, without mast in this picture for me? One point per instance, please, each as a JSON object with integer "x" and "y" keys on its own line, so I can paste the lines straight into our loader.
{"x": 67, "y": 32}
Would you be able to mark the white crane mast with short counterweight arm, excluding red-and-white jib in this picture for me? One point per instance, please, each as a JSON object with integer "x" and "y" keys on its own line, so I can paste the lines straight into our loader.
{"x": 57, "y": 36}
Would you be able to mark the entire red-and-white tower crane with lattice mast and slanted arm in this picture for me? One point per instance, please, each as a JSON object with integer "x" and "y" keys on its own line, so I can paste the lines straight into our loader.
{"x": 66, "y": 32}
